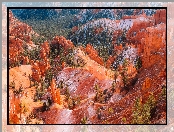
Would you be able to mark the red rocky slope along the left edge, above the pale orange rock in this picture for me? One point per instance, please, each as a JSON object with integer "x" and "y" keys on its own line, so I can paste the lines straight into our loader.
{"x": 19, "y": 33}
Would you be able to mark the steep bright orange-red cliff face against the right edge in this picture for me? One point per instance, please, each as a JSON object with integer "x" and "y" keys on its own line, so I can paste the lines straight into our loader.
{"x": 153, "y": 46}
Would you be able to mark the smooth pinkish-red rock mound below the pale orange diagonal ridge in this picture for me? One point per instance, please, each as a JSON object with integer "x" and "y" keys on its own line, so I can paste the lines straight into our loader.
{"x": 83, "y": 82}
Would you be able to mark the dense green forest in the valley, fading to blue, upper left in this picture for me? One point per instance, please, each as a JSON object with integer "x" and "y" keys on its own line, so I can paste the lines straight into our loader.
{"x": 49, "y": 28}
